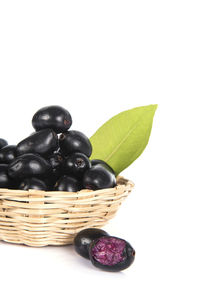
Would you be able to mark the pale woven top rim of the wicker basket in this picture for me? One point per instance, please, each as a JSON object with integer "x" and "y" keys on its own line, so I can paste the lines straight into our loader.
{"x": 121, "y": 183}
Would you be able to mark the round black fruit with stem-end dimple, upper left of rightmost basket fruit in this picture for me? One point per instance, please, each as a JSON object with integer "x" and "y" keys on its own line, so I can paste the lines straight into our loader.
{"x": 76, "y": 164}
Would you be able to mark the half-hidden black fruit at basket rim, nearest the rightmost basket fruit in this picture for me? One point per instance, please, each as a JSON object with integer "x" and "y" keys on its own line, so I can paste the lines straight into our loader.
{"x": 68, "y": 183}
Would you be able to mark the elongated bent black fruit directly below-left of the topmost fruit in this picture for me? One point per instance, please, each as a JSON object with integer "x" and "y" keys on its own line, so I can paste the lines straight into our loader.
{"x": 43, "y": 142}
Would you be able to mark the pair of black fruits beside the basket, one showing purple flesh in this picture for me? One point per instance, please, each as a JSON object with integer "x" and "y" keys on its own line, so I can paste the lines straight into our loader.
{"x": 105, "y": 252}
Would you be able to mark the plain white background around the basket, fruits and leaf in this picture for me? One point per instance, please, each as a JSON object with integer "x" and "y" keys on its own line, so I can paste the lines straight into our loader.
{"x": 97, "y": 58}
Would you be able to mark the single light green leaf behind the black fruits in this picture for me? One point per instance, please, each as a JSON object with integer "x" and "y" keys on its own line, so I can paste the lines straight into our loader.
{"x": 122, "y": 139}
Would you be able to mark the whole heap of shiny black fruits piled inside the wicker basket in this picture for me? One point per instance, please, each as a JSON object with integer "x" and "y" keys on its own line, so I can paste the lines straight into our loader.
{"x": 53, "y": 157}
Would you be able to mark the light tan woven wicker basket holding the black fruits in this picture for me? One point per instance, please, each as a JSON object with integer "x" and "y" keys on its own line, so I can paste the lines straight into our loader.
{"x": 39, "y": 218}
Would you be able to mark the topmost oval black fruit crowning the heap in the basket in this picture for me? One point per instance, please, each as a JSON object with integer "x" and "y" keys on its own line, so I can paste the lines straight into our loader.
{"x": 53, "y": 117}
